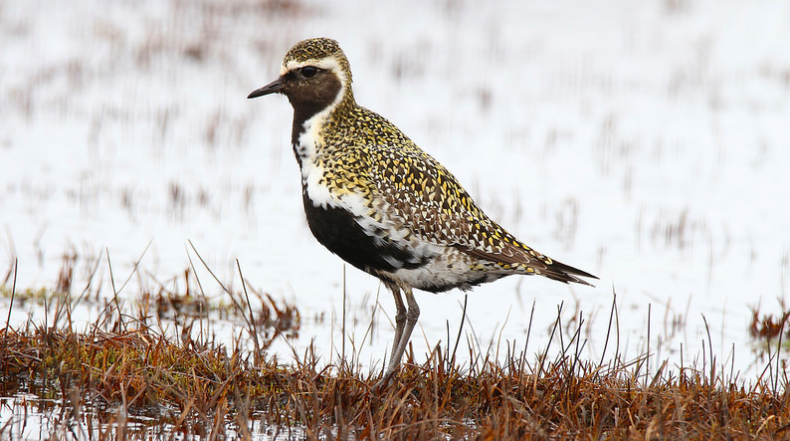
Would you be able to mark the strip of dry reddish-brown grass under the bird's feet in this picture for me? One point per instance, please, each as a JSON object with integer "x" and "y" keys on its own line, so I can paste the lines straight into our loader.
{"x": 123, "y": 377}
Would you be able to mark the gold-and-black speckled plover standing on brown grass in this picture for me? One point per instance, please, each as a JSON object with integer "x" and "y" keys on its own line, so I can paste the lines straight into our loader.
{"x": 381, "y": 203}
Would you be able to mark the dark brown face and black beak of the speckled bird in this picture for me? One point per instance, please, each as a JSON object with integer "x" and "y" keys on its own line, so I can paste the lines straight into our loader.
{"x": 310, "y": 89}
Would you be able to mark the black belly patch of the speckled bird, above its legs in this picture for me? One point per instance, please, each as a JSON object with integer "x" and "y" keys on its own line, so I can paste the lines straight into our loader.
{"x": 339, "y": 232}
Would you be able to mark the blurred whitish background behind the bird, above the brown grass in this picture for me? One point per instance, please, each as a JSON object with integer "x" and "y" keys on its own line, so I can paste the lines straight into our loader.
{"x": 646, "y": 142}
